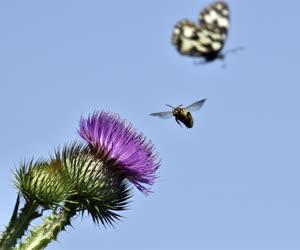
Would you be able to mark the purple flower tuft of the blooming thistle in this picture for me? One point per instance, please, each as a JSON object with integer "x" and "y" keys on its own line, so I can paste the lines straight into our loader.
{"x": 121, "y": 147}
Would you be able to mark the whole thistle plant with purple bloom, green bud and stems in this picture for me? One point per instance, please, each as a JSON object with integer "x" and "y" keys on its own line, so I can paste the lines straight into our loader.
{"x": 91, "y": 177}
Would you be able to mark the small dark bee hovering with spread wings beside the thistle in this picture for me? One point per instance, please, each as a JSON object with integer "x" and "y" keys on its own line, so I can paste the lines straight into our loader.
{"x": 181, "y": 114}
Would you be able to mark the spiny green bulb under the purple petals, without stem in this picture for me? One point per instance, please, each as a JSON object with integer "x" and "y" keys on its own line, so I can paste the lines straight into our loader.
{"x": 96, "y": 189}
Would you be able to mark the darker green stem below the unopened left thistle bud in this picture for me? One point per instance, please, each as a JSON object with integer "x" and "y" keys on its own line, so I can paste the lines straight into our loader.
{"x": 18, "y": 224}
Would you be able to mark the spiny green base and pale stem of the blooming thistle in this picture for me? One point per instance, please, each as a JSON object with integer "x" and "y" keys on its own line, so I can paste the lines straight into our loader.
{"x": 92, "y": 188}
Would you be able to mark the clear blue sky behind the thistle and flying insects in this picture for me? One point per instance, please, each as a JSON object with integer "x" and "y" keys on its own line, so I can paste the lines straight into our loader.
{"x": 231, "y": 182}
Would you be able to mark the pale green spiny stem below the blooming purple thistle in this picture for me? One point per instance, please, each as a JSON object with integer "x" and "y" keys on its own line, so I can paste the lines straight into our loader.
{"x": 41, "y": 236}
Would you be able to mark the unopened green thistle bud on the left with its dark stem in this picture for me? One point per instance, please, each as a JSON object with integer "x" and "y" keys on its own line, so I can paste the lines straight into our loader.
{"x": 42, "y": 187}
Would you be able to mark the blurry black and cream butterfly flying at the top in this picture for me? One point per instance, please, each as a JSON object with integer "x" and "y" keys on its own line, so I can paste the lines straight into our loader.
{"x": 207, "y": 39}
